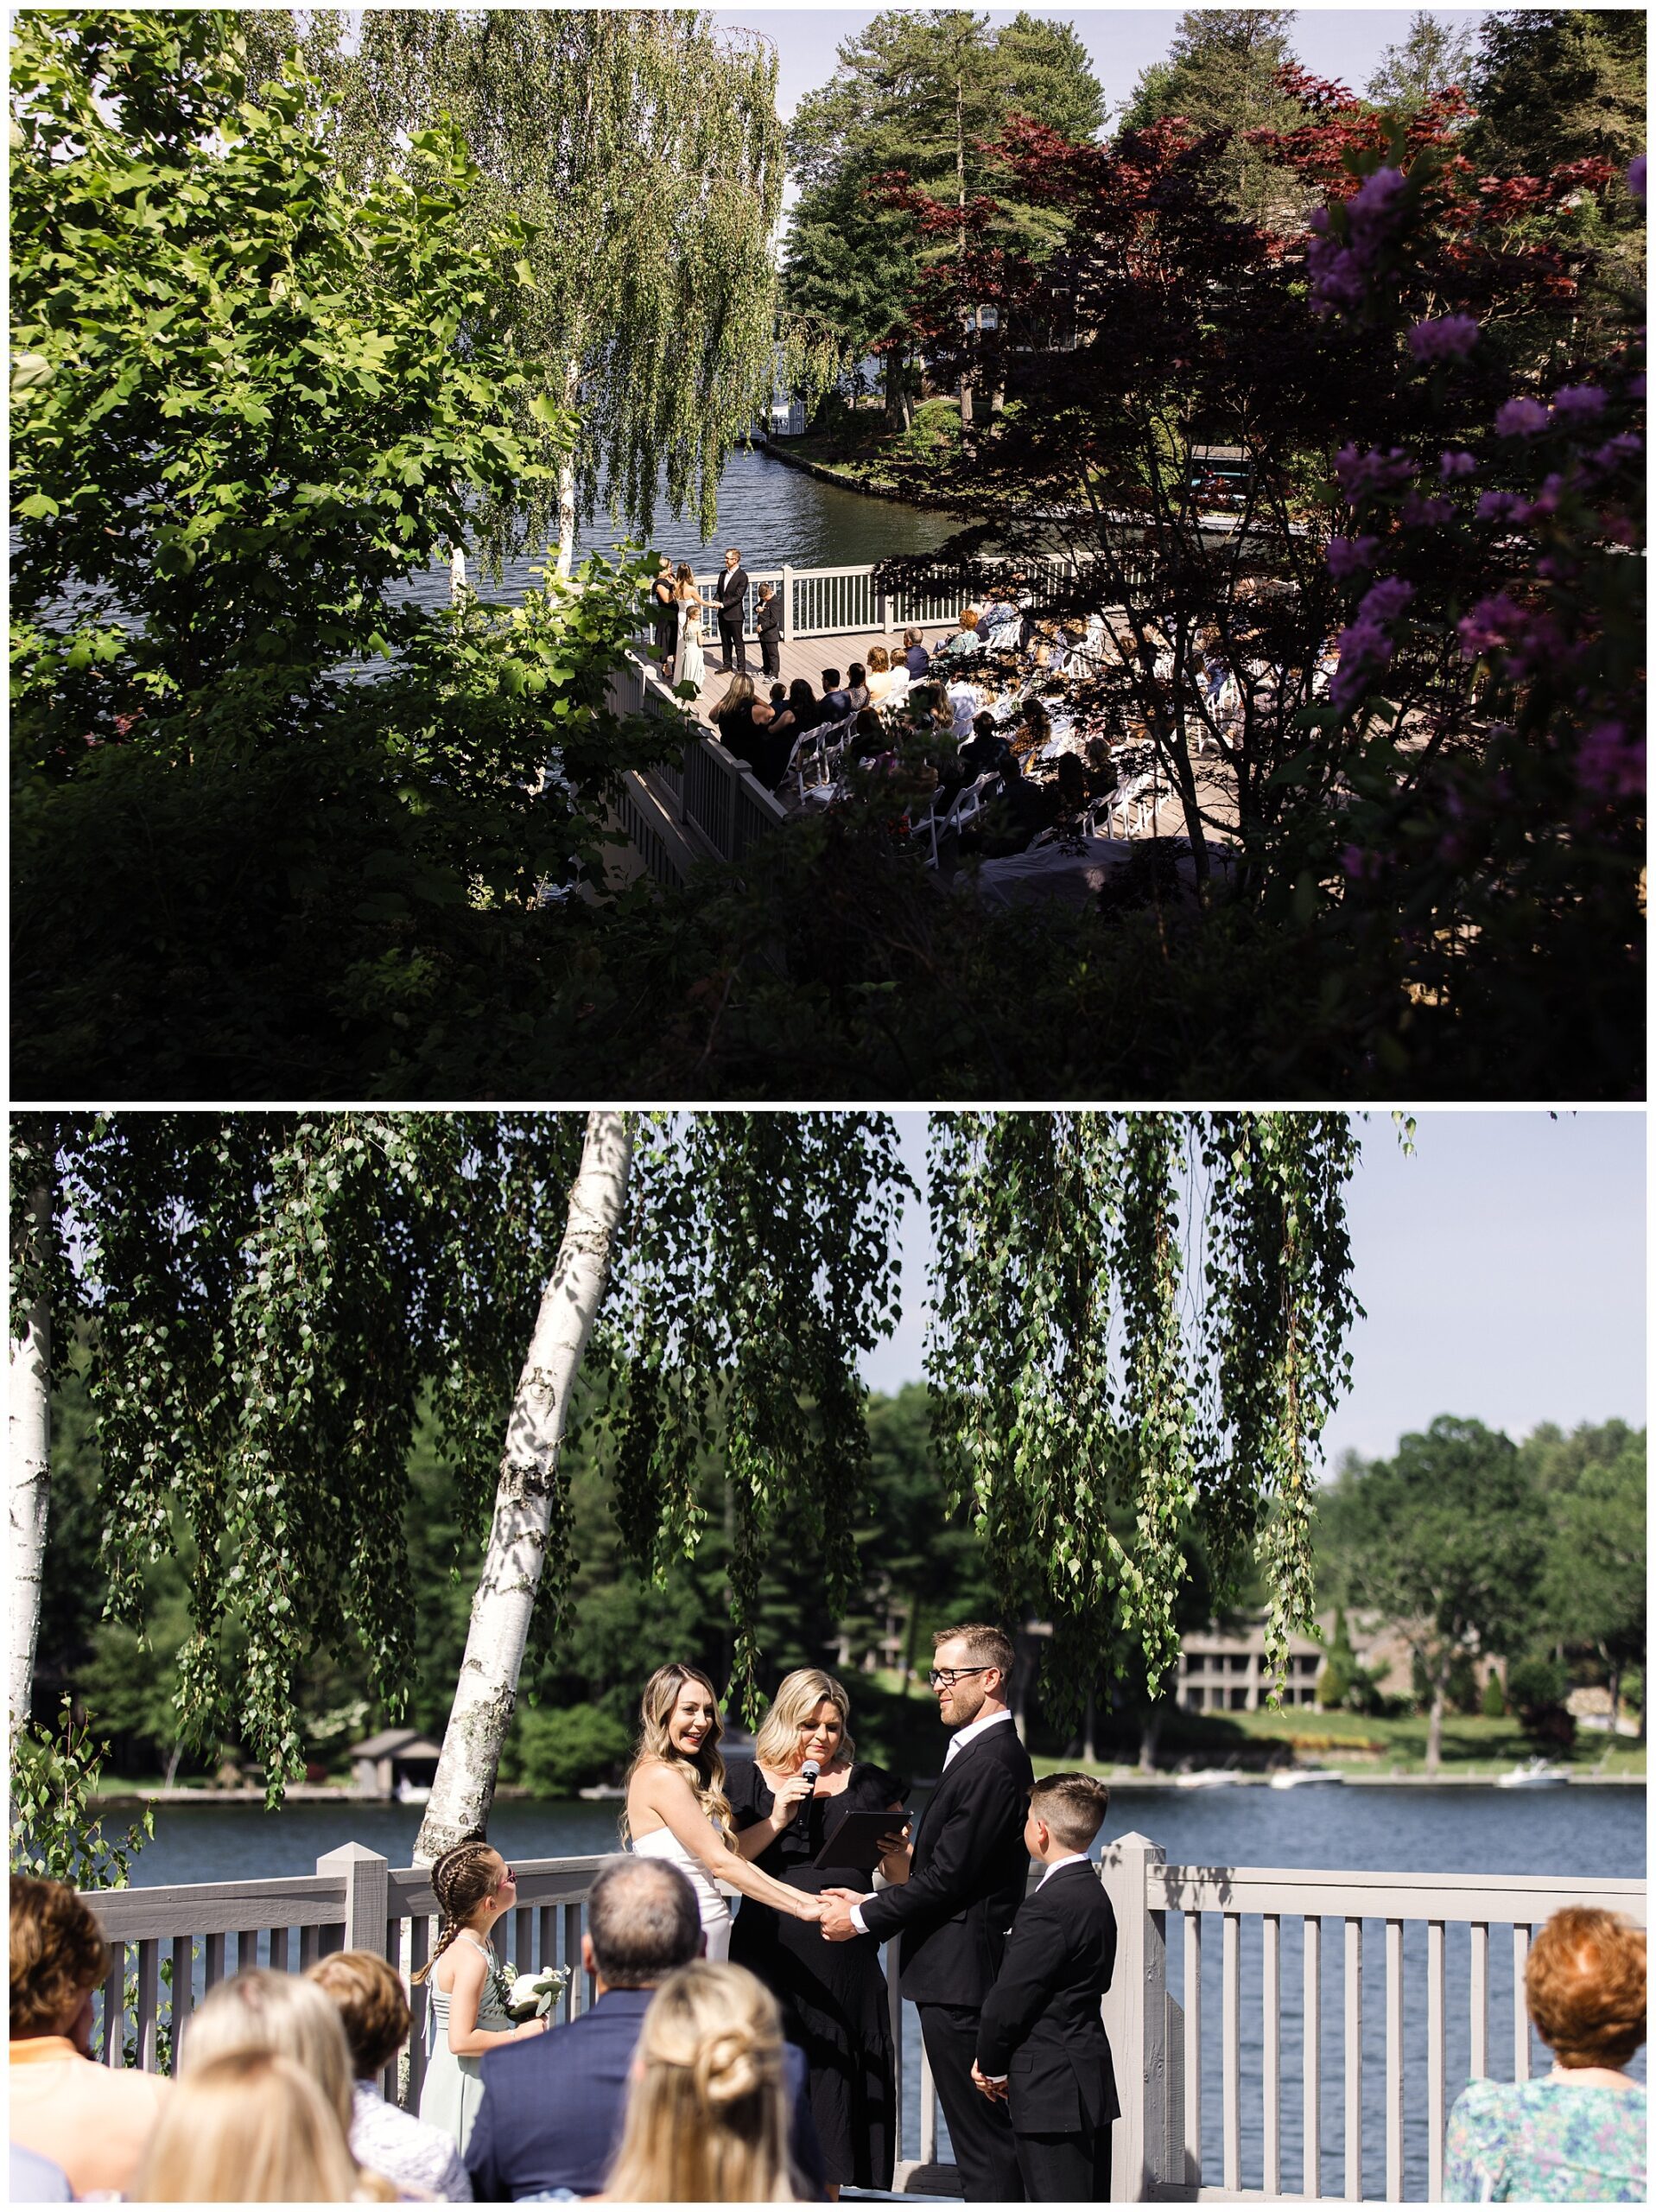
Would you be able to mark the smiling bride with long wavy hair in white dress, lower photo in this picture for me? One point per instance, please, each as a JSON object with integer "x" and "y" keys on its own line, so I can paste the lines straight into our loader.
{"x": 678, "y": 1806}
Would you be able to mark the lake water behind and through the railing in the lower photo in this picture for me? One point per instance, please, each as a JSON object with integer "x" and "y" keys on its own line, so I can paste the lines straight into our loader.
{"x": 1401, "y": 1830}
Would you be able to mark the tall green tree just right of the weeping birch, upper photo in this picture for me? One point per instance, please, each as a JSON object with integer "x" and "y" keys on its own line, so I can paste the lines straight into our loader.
{"x": 919, "y": 92}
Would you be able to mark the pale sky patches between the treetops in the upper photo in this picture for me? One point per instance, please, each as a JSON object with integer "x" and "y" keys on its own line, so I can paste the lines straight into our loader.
{"x": 1332, "y": 41}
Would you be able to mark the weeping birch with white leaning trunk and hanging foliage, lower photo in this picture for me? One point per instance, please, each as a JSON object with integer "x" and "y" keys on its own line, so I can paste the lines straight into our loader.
{"x": 1138, "y": 1335}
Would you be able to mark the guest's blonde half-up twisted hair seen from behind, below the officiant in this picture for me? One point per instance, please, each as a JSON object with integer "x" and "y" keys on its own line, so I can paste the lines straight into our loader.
{"x": 706, "y": 2118}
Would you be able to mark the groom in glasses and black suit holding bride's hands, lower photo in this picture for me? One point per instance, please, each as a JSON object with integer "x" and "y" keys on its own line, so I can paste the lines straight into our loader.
{"x": 967, "y": 1881}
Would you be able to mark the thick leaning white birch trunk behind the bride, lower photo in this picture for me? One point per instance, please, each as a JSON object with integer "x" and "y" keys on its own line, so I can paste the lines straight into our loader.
{"x": 488, "y": 1691}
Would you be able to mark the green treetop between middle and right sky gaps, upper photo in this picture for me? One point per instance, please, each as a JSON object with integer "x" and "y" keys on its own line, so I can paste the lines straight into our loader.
{"x": 1222, "y": 76}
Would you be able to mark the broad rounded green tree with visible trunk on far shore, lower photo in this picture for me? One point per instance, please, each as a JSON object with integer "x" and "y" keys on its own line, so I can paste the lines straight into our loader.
{"x": 1445, "y": 1543}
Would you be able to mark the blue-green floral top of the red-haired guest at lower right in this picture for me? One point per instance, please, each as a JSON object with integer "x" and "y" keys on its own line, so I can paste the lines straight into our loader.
{"x": 1547, "y": 2142}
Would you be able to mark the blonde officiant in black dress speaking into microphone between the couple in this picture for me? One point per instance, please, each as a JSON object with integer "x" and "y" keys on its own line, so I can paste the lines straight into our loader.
{"x": 835, "y": 1996}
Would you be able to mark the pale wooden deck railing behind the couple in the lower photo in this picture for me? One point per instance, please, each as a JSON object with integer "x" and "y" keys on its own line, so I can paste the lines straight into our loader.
{"x": 1175, "y": 2056}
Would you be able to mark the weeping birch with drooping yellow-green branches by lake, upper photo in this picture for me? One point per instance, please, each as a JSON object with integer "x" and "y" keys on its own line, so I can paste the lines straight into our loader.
{"x": 644, "y": 152}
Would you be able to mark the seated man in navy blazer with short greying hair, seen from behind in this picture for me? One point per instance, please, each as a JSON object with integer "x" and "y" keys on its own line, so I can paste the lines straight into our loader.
{"x": 554, "y": 2107}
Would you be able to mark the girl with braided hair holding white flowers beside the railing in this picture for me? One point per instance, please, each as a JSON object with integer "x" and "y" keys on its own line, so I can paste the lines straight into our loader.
{"x": 474, "y": 1888}
